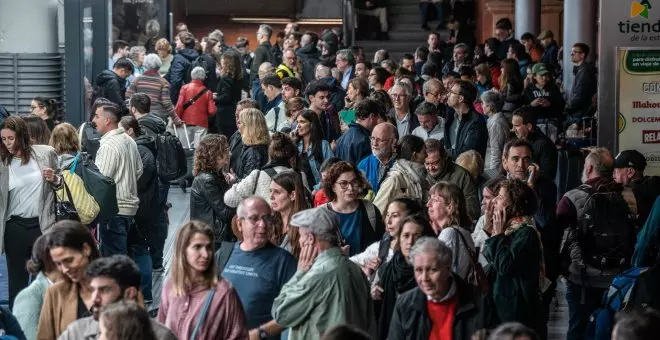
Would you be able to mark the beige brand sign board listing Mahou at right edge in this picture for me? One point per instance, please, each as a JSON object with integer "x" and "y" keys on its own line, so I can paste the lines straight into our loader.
{"x": 639, "y": 104}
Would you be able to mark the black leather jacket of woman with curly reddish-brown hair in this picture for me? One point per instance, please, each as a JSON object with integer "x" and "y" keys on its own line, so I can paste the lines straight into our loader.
{"x": 207, "y": 203}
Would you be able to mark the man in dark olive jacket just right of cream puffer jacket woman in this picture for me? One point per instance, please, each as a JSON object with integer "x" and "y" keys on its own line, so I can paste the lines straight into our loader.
{"x": 441, "y": 168}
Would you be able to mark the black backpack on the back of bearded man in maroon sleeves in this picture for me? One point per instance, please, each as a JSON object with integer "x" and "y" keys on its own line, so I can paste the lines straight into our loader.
{"x": 606, "y": 231}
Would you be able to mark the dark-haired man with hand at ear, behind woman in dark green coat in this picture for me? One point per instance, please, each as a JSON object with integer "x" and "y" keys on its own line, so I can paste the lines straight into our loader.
{"x": 516, "y": 162}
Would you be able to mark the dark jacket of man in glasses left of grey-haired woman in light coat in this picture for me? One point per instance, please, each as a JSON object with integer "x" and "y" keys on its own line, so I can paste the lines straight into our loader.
{"x": 472, "y": 134}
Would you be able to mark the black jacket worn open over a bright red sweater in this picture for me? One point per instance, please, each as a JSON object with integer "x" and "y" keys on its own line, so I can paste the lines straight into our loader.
{"x": 410, "y": 320}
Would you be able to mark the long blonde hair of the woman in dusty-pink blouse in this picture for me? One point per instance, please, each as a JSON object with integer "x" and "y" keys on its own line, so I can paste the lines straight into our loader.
{"x": 180, "y": 267}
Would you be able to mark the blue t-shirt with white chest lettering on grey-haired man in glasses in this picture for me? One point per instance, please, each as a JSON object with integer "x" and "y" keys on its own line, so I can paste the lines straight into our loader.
{"x": 258, "y": 277}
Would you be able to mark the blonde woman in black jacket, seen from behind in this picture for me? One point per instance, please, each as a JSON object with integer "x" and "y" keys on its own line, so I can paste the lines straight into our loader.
{"x": 256, "y": 138}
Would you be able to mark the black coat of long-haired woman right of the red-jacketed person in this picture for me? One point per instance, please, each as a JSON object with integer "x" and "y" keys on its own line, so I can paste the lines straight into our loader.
{"x": 229, "y": 93}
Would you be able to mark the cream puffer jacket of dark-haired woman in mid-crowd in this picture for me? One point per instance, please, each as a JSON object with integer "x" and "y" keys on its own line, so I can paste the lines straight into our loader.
{"x": 405, "y": 178}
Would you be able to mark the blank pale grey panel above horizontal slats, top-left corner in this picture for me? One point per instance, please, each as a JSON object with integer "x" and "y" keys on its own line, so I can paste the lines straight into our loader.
{"x": 28, "y": 26}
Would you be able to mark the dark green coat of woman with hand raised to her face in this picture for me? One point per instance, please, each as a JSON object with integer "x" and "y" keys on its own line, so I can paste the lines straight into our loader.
{"x": 514, "y": 267}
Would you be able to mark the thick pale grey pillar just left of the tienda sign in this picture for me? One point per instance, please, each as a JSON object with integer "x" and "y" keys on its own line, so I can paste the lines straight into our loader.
{"x": 580, "y": 25}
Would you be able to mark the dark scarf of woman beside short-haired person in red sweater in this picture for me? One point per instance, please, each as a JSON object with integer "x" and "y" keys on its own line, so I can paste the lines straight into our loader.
{"x": 396, "y": 277}
